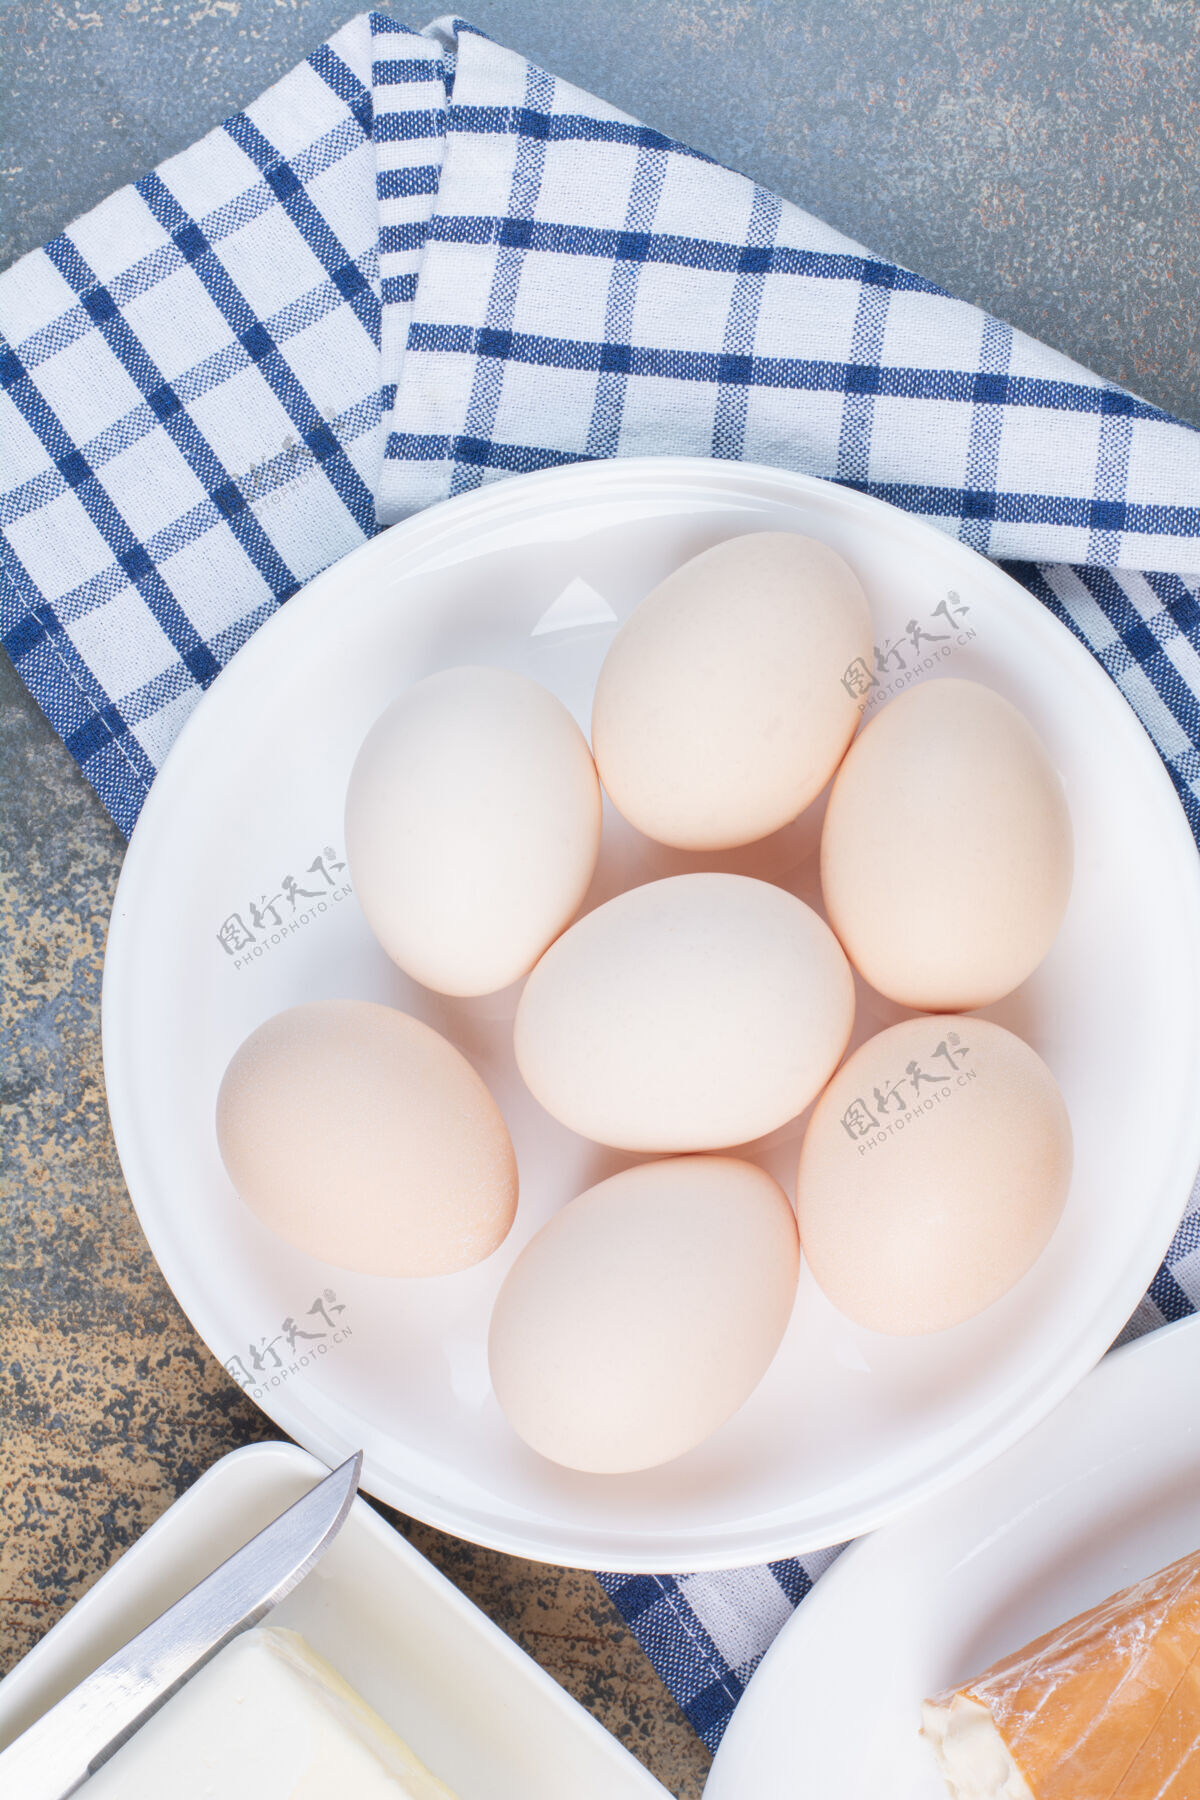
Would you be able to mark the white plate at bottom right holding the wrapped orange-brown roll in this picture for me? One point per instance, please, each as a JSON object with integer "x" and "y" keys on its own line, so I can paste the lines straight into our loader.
{"x": 1098, "y": 1497}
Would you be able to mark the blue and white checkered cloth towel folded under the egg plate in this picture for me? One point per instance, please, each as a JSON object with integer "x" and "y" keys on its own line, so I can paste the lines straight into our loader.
{"x": 420, "y": 264}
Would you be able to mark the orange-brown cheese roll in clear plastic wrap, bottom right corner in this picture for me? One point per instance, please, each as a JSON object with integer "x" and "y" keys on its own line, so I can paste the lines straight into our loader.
{"x": 1107, "y": 1707}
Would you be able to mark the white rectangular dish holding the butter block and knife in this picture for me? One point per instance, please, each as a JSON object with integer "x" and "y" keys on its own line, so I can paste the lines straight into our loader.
{"x": 476, "y": 1709}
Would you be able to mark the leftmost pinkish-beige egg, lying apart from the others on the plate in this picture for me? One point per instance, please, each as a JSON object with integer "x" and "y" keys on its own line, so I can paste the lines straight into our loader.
{"x": 366, "y": 1140}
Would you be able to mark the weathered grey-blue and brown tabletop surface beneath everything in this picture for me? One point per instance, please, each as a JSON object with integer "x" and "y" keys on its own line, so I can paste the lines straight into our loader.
{"x": 1043, "y": 161}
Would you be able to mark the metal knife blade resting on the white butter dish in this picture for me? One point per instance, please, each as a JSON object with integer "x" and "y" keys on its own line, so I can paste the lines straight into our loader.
{"x": 75, "y": 1738}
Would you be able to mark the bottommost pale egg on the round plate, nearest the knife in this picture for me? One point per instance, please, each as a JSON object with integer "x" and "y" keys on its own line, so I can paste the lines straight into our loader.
{"x": 645, "y": 1313}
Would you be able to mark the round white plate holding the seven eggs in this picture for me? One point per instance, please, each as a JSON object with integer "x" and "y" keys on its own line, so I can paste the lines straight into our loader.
{"x": 846, "y": 1430}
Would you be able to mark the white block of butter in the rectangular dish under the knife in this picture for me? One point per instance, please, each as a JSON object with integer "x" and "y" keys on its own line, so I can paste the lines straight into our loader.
{"x": 265, "y": 1720}
